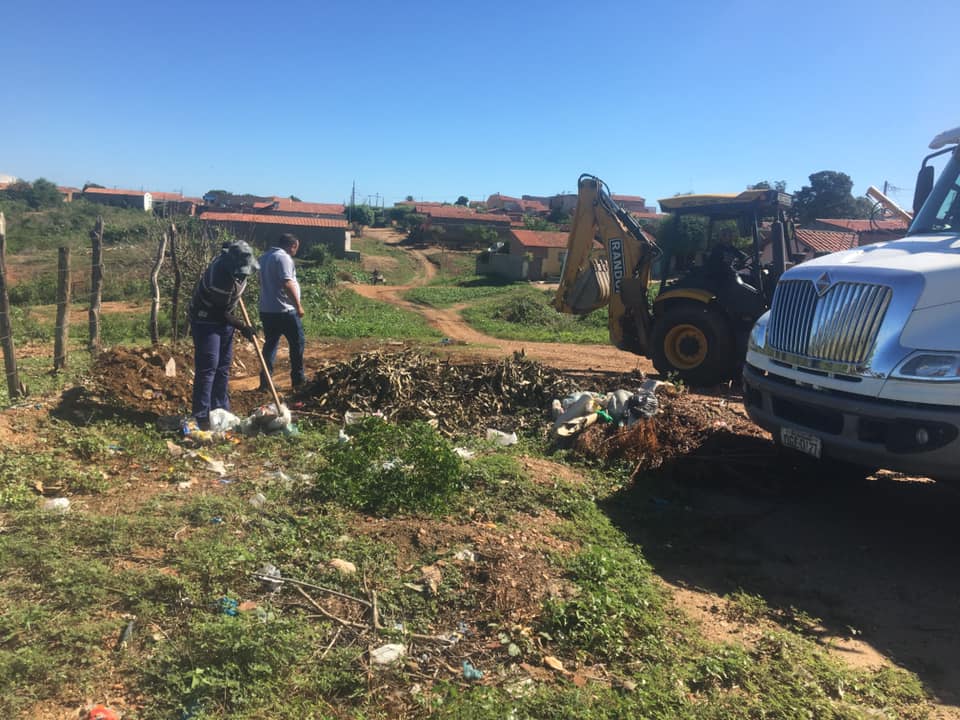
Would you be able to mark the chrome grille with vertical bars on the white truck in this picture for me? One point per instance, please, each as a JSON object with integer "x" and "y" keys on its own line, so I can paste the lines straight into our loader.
{"x": 839, "y": 326}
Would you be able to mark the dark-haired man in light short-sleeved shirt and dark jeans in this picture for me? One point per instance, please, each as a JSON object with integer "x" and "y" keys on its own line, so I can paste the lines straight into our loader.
{"x": 280, "y": 308}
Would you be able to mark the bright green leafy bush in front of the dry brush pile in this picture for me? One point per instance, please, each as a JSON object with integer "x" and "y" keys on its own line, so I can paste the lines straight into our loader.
{"x": 388, "y": 468}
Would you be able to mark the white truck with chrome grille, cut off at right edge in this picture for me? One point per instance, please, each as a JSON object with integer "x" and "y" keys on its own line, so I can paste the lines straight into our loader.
{"x": 858, "y": 359}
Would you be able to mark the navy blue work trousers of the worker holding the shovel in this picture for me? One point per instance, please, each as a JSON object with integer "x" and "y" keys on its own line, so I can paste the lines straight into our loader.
{"x": 212, "y": 355}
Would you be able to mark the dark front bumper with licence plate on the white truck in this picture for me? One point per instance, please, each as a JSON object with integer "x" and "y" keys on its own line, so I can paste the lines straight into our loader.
{"x": 907, "y": 437}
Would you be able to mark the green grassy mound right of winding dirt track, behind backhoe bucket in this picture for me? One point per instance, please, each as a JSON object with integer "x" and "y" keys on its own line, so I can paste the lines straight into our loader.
{"x": 524, "y": 313}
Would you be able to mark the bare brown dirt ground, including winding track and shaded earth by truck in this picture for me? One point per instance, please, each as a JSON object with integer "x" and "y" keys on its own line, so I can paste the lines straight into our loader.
{"x": 873, "y": 561}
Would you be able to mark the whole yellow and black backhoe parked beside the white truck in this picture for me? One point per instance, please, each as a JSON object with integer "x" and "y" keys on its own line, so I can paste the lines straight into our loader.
{"x": 698, "y": 321}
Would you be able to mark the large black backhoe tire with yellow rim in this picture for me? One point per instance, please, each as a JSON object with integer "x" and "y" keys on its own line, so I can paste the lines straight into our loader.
{"x": 694, "y": 343}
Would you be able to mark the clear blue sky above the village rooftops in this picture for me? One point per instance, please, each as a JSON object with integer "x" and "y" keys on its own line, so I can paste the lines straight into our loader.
{"x": 441, "y": 99}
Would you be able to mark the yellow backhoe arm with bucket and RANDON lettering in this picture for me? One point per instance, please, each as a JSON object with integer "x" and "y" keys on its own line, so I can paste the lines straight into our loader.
{"x": 618, "y": 277}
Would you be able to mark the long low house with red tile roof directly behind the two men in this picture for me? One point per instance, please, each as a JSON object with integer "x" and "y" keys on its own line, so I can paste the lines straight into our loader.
{"x": 260, "y": 230}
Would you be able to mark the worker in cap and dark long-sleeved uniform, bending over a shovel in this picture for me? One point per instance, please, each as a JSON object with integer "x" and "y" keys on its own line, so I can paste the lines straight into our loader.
{"x": 213, "y": 322}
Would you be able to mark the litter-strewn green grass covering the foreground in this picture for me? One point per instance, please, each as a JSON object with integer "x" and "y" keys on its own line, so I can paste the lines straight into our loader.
{"x": 72, "y": 583}
